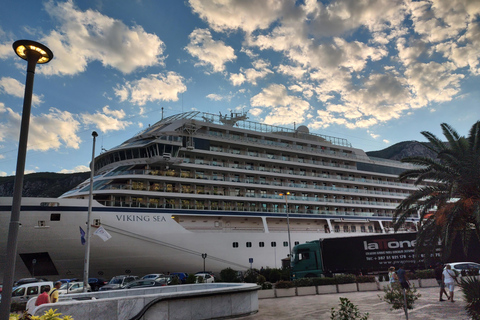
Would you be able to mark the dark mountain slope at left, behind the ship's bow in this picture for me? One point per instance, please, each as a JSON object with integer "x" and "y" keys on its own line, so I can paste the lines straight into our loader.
{"x": 43, "y": 184}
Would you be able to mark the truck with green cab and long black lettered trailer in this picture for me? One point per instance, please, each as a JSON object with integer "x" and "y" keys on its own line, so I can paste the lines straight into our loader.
{"x": 369, "y": 254}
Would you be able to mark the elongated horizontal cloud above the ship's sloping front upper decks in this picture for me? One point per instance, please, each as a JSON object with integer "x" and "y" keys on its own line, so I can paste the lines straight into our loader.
{"x": 155, "y": 87}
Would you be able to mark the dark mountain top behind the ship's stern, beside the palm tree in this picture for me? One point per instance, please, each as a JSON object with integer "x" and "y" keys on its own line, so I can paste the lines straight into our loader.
{"x": 402, "y": 150}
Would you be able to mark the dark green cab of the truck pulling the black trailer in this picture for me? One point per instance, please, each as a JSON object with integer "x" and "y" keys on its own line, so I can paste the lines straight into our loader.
{"x": 307, "y": 260}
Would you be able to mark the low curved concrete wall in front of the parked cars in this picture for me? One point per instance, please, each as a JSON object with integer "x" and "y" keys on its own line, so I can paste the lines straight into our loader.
{"x": 196, "y": 301}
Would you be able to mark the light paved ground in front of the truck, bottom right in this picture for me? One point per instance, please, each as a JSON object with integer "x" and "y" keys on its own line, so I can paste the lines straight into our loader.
{"x": 318, "y": 307}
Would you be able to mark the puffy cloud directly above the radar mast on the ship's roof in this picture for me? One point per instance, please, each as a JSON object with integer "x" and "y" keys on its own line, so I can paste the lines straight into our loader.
{"x": 280, "y": 107}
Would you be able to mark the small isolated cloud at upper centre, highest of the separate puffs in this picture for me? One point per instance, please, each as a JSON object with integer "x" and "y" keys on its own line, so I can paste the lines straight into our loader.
{"x": 208, "y": 51}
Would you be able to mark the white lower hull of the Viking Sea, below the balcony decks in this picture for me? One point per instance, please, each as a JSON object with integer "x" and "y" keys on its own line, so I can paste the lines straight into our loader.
{"x": 143, "y": 241}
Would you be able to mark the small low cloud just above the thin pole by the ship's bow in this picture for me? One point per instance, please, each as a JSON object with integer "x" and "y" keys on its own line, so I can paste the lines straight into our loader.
{"x": 107, "y": 120}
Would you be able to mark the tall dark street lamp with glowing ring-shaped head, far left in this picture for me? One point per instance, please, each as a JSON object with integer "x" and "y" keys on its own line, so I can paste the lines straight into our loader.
{"x": 34, "y": 53}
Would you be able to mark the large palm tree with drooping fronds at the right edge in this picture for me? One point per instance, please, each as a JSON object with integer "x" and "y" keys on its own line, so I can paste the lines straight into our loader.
{"x": 448, "y": 201}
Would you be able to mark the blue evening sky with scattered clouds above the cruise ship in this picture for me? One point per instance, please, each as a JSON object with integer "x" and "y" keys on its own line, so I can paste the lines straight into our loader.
{"x": 373, "y": 72}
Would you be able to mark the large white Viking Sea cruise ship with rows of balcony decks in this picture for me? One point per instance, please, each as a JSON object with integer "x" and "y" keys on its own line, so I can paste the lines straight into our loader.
{"x": 198, "y": 190}
